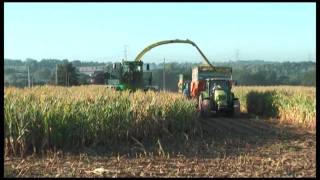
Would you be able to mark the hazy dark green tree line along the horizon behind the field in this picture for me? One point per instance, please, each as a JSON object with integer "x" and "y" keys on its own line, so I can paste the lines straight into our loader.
{"x": 66, "y": 73}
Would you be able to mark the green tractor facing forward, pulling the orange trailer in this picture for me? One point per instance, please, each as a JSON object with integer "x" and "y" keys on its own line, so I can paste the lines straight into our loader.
{"x": 218, "y": 98}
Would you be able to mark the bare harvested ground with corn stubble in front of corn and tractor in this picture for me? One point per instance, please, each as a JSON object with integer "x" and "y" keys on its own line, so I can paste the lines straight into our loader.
{"x": 222, "y": 147}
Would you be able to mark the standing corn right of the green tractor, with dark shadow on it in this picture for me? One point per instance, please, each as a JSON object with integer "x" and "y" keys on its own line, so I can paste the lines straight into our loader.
{"x": 290, "y": 104}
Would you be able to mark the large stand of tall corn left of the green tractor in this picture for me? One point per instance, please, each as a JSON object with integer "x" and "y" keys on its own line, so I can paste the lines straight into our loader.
{"x": 59, "y": 117}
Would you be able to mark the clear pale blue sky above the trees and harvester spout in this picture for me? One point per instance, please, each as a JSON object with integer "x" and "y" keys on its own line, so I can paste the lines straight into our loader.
{"x": 100, "y": 31}
